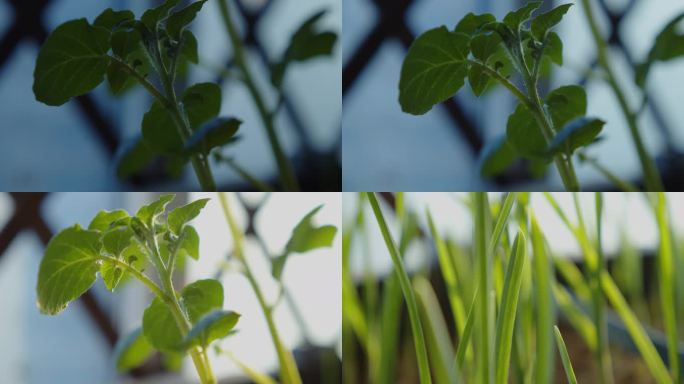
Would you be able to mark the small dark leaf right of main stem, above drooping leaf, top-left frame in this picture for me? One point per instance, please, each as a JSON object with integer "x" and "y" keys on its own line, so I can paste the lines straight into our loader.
{"x": 202, "y": 103}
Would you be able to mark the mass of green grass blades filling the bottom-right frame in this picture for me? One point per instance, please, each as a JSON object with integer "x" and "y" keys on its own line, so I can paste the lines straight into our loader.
{"x": 489, "y": 312}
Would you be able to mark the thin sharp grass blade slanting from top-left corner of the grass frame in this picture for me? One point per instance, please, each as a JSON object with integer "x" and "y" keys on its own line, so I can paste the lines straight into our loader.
{"x": 405, "y": 283}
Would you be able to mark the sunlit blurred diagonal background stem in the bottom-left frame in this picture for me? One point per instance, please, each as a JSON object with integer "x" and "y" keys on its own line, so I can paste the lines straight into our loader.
{"x": 288, "y": 369}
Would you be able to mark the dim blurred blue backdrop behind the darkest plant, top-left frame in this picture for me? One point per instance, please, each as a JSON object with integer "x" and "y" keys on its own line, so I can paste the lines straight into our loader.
{"x": 73, "y": 147}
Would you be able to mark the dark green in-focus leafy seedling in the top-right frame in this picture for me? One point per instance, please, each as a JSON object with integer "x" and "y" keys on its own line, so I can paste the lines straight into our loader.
{"x": 485, "y": 51}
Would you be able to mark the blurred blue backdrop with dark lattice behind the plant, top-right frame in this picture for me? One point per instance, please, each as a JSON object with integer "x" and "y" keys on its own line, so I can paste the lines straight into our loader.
{"x": 387, "y": 150}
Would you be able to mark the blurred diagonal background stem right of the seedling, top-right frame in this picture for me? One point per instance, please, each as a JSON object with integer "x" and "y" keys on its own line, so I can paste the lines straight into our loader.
{"x": 651, "y": 176}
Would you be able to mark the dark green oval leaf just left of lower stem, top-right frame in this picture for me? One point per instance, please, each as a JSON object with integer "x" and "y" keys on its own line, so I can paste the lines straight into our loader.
{"x": 524, "y": 134}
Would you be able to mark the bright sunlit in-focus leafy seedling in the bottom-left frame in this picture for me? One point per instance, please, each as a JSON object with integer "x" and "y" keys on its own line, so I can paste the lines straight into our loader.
{"x": 118, "y": 245}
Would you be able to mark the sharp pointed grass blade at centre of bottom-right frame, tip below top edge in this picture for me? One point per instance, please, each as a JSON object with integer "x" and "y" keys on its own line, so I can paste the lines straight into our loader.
{"x": 509, "y": 304}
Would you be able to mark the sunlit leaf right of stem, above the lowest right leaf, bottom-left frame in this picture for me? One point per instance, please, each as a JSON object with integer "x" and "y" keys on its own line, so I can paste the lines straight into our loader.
{"x": 202, "y": 297}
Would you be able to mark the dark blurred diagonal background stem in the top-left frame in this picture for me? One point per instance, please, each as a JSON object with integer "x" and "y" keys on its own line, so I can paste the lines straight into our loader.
{"x": 285, "y": 169}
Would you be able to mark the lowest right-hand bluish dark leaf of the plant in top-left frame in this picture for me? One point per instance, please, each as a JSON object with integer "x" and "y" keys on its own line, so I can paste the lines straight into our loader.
{"x": 213, "y": 134}
